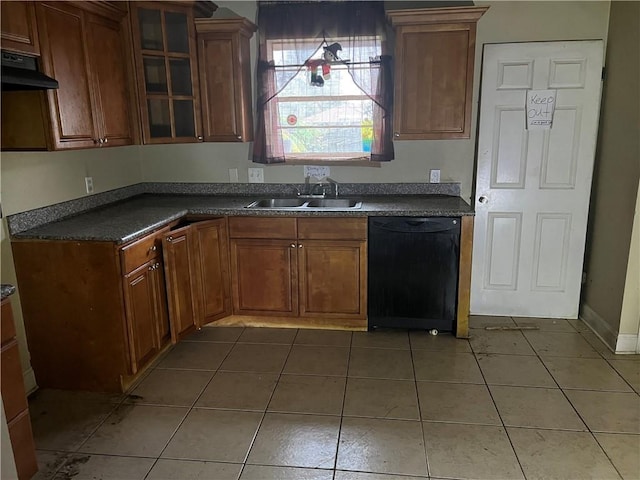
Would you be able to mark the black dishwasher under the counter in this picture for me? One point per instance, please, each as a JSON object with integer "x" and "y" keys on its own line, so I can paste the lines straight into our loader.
{"x": 413, "y": 272}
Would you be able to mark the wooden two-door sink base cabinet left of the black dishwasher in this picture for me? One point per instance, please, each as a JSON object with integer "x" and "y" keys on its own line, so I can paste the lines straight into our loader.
{"x": 312, "y": 268}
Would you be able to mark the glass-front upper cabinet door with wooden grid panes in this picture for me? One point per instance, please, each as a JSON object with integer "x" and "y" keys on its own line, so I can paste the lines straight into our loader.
{"x": 164, "y": 41}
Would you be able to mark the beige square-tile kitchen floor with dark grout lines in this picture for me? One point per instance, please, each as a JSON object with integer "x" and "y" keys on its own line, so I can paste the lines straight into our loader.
{"x": 249, "y": 404}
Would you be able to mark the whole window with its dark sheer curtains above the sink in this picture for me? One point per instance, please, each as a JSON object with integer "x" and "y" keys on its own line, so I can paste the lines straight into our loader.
{"x": 312, "y": 109}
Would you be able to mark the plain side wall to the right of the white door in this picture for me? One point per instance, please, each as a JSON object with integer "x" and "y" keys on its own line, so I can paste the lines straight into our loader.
{"x": 615, "y": 185}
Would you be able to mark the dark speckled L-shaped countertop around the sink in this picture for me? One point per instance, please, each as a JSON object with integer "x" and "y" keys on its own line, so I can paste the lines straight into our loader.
{"x": 129, "y": 219}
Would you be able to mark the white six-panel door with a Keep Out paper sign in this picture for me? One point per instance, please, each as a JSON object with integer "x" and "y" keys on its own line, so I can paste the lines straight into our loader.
{"x": 533, "y": 186}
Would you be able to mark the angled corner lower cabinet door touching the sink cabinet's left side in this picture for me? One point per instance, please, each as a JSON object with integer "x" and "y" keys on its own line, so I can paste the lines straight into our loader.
{"x": 212, "y": 269}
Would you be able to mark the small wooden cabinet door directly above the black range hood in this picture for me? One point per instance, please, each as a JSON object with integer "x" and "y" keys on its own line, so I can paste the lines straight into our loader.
{"x": 19, "y": 28}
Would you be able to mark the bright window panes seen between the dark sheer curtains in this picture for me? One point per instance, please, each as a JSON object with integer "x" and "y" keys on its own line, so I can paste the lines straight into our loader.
{"x": 329, "y": 122}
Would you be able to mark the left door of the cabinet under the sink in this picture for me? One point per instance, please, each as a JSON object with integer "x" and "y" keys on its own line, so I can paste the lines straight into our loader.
{"x": 264, "y": 274}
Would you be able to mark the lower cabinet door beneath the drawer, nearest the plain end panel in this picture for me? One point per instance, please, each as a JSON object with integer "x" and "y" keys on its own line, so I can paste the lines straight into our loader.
{"x": 141, "y": 315}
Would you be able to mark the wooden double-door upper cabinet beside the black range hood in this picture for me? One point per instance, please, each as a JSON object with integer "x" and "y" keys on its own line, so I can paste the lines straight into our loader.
{"x": 83, "y": 46}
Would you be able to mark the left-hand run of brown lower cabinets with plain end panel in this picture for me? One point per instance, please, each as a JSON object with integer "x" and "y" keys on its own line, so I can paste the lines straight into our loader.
{"x": 96, "y": 313}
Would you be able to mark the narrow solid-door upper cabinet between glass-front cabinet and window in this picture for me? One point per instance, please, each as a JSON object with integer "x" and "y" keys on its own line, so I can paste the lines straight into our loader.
{"x": 225, "y": 78}
